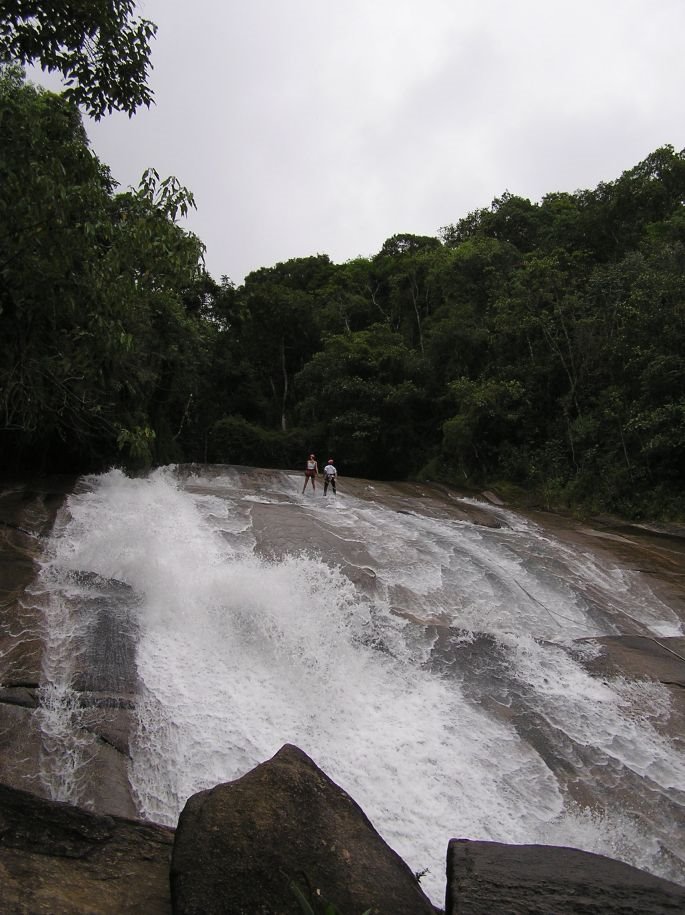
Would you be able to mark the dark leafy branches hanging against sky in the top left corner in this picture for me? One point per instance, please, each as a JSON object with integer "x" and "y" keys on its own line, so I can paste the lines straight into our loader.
{"x": 101, "y": 50}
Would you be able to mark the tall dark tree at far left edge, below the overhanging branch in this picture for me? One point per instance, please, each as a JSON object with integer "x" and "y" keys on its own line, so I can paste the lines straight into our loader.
{"x": 53, "y": 194}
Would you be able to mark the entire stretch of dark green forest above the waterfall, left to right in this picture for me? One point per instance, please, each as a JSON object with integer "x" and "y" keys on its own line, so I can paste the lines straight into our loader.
{"x": 538, "y": 347}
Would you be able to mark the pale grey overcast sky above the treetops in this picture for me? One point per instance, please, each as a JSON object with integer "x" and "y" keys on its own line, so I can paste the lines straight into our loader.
{"x": 313, "y": 126}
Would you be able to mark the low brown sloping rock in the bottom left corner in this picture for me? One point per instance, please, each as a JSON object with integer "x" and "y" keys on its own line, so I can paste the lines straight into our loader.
{"x": 59, "y": 859}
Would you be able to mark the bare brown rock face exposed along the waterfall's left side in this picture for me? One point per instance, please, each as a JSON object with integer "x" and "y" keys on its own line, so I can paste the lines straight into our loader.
{"x": 106, "y": 682}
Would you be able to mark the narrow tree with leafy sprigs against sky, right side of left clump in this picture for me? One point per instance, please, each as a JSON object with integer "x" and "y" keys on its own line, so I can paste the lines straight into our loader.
{"x": 154, "y": 271}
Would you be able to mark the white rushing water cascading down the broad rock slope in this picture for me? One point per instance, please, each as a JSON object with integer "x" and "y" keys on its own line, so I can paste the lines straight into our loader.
{"x": 423, "y": 662}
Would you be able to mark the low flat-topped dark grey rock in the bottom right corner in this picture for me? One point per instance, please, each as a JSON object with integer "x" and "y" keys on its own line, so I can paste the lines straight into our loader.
{"x": 489, "y": 878}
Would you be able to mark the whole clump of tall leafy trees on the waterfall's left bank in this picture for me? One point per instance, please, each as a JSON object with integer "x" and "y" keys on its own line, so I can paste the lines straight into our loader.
{"x": 98, "y": 349}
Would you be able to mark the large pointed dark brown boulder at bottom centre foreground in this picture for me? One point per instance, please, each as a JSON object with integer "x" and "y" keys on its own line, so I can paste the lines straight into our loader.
{"x": 238, "y": 846}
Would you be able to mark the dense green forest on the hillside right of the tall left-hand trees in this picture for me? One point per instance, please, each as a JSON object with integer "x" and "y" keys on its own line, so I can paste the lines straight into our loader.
{"x": 541, "y": 345}
